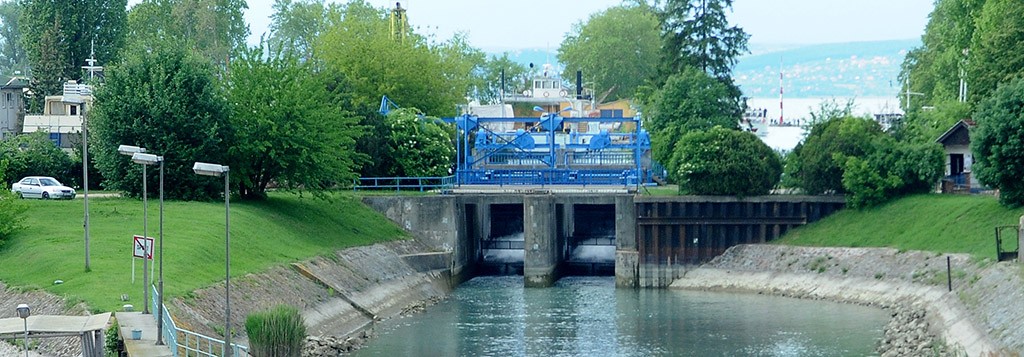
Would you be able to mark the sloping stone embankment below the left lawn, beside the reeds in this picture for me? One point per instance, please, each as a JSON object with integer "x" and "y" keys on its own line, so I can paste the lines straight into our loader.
{"x": 340, "y": 296}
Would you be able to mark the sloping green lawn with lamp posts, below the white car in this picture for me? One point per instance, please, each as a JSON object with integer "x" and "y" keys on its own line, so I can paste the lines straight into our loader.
{"x": 282, "y": 230}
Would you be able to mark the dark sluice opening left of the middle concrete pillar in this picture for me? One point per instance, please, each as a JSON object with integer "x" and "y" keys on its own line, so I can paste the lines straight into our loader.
{"x": 502, "y": 248}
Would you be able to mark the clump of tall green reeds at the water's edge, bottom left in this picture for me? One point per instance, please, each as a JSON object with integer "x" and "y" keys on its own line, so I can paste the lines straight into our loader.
{"x": 280, "y": 332}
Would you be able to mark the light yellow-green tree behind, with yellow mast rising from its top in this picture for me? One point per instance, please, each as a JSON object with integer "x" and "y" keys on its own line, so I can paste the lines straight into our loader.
{"x": 414, "y": 72}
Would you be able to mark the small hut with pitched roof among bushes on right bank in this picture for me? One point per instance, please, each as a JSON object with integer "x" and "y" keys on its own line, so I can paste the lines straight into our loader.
{"x": 957, "y": 143}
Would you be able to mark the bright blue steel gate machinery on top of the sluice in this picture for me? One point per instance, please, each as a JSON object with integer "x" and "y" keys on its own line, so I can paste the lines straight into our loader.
{"x": 543, "y": 152}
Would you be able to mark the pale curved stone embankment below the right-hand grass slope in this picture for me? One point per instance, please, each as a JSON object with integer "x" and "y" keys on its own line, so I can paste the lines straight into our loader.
{"x": 980, "y": 318}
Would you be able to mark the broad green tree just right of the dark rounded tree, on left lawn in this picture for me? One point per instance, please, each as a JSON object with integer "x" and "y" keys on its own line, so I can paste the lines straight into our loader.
{"x": 291, "y": 131}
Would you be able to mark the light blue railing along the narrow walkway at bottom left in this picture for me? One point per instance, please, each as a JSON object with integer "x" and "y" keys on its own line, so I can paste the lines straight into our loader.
{"x": 194, "y": 344}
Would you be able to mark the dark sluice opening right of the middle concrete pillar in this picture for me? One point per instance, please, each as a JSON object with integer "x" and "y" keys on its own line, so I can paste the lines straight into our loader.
{"x": 590, "y": 248}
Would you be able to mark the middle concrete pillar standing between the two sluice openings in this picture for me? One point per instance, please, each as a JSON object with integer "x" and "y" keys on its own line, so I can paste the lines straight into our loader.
{"x": 542, "y": 257}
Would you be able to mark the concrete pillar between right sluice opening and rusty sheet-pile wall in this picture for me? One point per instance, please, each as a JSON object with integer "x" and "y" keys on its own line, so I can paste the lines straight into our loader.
{"x": 627, "y": 258}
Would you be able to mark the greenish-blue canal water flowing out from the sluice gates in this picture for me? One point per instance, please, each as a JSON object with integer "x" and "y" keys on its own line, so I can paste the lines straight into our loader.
{"x": 588, "y": 317}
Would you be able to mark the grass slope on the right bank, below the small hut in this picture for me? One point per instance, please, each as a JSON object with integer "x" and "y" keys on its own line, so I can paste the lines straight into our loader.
{"x": 944, "y": 224}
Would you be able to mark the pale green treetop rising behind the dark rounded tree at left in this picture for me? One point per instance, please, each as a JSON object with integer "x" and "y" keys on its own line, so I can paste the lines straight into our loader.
{"x": 217, "y": 29}
